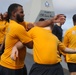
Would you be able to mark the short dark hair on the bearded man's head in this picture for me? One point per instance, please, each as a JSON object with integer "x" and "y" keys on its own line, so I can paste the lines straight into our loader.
{"x": 11, "y": 8}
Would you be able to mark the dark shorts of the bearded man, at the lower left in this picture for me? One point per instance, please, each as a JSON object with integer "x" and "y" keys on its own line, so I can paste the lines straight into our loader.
{"x": 7, "y": 71}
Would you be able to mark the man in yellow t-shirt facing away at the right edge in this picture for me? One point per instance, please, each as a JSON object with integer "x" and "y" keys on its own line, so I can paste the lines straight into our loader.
{"x": 70, "y": 41}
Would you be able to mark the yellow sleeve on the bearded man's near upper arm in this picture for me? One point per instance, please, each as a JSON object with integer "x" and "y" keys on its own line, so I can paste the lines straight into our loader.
{"x": 22, "y": 34}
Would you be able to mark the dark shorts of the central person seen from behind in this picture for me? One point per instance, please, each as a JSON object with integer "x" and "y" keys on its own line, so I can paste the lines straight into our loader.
{"x": 41, "y": 69}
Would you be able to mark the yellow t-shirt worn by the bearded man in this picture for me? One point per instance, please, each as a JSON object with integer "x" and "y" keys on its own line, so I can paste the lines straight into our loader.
{"x": 15, "y": 33}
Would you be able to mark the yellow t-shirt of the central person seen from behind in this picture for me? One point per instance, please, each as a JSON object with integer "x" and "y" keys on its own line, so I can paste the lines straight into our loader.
{"x": 45, "y": 46}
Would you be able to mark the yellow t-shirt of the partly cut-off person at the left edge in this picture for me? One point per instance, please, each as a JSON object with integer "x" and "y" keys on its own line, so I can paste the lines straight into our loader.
{"x": 3, "y": 29}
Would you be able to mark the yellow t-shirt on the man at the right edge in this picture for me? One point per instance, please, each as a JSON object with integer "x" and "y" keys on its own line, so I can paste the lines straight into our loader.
{"x": 70, "y": 42}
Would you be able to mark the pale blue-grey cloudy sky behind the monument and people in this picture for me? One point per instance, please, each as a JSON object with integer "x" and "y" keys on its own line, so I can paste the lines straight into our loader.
{"x": 67, "y": 7}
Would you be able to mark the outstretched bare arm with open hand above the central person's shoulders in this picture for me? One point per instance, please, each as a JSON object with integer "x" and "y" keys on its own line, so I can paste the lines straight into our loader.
{"x": 45, "y": 23}
